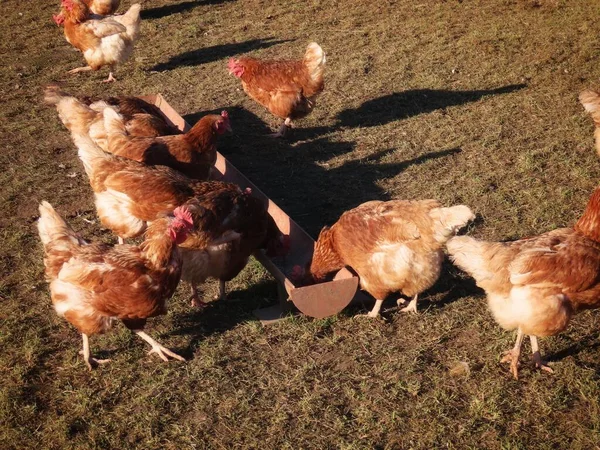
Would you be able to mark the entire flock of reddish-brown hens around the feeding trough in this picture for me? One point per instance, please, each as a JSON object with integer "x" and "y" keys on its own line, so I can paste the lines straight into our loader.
{"x": 150, "y": 180}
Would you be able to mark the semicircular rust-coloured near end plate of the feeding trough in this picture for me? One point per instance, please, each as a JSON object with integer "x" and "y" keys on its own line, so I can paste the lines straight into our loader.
{"x": 325, "y": 299}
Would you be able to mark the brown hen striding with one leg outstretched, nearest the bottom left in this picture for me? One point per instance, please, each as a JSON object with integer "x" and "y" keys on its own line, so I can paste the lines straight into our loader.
{"x": 94, "y": 284}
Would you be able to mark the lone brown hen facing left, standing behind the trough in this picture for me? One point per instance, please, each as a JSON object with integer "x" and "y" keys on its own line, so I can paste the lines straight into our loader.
{"x": 288, "y": 89}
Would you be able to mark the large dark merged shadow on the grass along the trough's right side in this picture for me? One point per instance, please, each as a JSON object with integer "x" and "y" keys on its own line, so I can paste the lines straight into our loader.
{"x": 298, "y": 177}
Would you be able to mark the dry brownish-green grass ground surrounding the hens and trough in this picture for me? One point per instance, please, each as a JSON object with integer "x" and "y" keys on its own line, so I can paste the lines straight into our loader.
{"x": 470, "y": 102}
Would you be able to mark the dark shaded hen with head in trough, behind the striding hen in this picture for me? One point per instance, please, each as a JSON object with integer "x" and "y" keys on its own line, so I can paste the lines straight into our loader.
{"x": 237, "y": 212}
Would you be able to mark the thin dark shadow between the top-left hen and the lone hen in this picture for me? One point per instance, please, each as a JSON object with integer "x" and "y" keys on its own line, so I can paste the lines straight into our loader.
{"x": 215, "y": 53}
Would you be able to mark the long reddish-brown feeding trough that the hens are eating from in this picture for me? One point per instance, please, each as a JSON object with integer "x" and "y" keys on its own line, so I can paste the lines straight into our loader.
{"x": 318, "y": 300}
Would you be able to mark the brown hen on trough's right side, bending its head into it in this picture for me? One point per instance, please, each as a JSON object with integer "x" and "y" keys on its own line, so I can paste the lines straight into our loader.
{"x": 392, "y": 246}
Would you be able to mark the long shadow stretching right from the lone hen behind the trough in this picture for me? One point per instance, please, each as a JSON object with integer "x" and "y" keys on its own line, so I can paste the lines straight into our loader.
{"x": 402, "y": 105}
